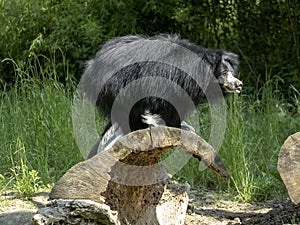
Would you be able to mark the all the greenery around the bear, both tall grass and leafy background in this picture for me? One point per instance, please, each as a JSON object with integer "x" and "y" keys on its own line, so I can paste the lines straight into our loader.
{"x": 43, "y": 47}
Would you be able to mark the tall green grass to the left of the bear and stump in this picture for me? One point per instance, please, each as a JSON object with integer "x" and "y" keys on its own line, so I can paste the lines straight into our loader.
{"x": 35, "y": 116}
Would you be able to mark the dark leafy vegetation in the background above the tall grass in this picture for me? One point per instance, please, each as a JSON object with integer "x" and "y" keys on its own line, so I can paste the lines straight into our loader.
{"x": 264, "y": 33}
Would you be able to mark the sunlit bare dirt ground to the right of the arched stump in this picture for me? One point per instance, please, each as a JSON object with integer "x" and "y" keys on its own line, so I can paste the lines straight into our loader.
{"x": 211, "y": 209}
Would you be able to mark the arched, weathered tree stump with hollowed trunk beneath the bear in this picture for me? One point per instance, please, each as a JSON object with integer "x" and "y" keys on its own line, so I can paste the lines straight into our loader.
{"x": 127, "y": 184}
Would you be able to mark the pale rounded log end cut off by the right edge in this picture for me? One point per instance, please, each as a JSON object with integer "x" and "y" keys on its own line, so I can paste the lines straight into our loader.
{"x": 289, "y": 166}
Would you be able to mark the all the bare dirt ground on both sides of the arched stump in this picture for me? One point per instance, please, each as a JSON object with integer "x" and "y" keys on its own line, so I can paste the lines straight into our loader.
{"x": 204, "y": 209}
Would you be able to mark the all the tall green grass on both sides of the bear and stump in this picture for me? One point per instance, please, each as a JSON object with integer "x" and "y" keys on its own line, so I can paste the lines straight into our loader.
{"x": 37, "y": 144}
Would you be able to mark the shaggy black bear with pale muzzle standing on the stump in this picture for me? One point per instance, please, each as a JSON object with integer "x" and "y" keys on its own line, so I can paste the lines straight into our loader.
{"x": 137, "y": 81}
